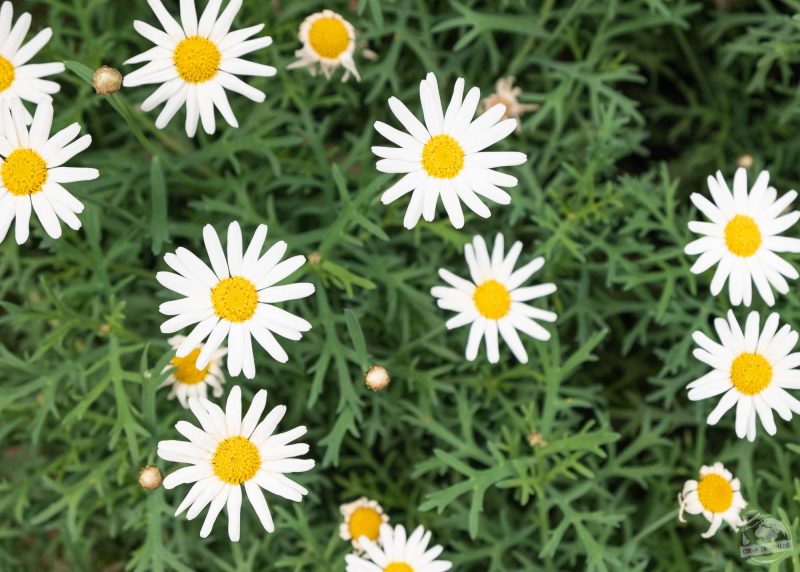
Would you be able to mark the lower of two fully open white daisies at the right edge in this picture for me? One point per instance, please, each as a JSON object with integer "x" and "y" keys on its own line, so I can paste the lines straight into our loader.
{"x": 752, "y": 370}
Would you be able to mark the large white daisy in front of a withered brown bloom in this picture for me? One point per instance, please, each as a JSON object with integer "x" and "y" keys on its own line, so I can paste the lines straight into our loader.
{"x": 445, "y": 157}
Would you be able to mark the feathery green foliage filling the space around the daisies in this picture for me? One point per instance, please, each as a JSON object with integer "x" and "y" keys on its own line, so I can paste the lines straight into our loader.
{"x": 640, "y": 101}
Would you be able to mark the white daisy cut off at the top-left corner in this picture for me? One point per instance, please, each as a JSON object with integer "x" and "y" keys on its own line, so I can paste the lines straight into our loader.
{"x": 18, "y": 79}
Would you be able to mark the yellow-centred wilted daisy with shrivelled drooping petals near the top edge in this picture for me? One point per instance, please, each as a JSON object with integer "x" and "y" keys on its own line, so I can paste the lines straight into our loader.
{"x": 328, "y": 41}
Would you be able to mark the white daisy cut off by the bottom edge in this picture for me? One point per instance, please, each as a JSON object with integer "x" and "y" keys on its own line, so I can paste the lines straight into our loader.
{"x": 396, "y": 553}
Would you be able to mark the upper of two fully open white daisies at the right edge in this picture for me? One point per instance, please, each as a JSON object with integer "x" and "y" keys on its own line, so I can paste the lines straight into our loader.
{"x": 743, "y": 237}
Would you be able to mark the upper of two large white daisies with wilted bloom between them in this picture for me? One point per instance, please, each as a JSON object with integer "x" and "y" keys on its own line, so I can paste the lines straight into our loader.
{"x": 233, "y": 299}
